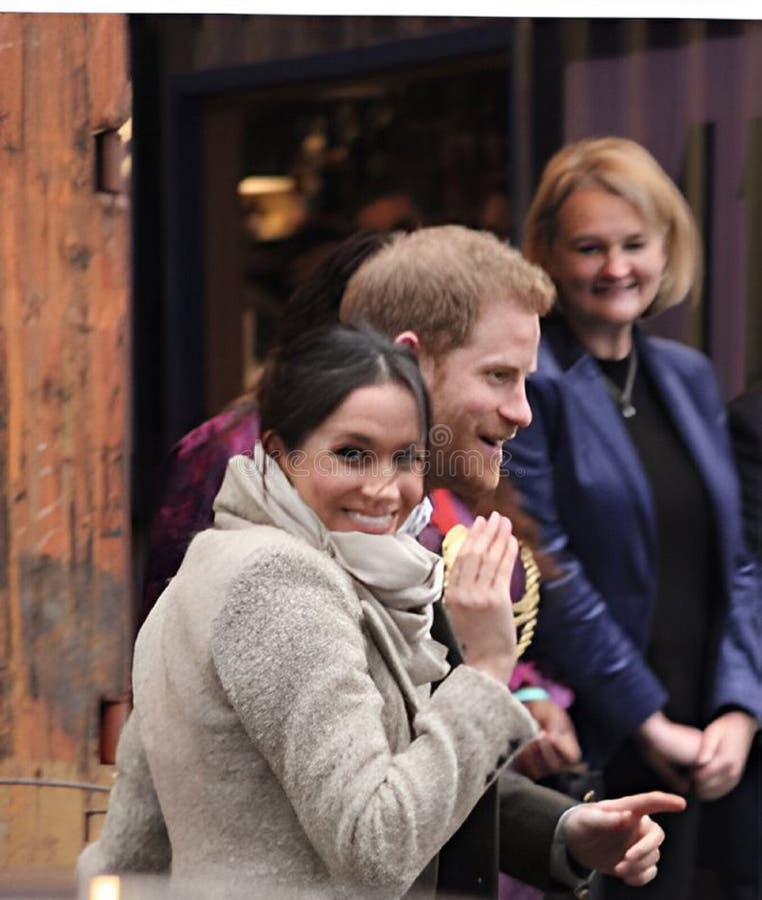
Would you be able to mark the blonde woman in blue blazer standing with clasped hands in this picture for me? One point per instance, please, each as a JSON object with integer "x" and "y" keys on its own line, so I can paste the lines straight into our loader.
{"x": 627, "y": 468}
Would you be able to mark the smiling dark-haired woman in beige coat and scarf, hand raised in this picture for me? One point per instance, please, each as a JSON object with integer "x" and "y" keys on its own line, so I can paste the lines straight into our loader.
{"x": 283, "y": 739}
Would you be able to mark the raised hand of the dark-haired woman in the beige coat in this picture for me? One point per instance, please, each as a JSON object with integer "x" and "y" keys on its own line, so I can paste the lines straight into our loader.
{"x": 478, "y": 596}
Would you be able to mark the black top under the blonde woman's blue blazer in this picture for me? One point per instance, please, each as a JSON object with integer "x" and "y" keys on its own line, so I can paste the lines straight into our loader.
{"x": 683, "y": 625}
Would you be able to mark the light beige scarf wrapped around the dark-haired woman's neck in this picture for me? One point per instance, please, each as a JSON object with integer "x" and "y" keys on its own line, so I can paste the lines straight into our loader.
{"x": 397, "y": 575}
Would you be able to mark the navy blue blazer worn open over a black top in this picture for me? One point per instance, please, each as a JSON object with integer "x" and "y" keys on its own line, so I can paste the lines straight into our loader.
{"x": 582, "y": 480}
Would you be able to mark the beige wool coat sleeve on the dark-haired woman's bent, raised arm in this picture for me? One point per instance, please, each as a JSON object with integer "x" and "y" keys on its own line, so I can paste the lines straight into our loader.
{"x": 290, "y": 652}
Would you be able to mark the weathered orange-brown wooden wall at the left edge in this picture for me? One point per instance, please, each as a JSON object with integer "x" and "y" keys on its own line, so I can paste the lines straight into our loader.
{"x": 65, "y": 632}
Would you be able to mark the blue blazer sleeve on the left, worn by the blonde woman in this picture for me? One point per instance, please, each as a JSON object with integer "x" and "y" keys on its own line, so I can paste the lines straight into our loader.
{"x": 576, "y": 632}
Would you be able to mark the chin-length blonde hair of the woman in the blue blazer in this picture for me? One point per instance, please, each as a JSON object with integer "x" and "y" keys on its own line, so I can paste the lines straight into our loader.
{"x": 626, "y": 169}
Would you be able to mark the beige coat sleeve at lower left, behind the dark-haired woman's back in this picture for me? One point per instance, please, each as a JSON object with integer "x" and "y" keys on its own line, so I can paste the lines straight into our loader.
{"x": 134, "y": 836}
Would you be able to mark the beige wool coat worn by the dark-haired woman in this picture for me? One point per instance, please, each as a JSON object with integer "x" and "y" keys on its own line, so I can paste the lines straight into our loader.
{"x": 277, "y": 746}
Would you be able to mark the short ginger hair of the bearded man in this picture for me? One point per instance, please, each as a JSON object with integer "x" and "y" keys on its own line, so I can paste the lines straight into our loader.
{"x": 434, "y": 281}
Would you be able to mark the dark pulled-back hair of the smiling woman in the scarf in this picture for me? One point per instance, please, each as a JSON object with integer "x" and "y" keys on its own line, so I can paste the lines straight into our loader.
{"x": 307, "y": 379}
